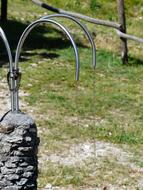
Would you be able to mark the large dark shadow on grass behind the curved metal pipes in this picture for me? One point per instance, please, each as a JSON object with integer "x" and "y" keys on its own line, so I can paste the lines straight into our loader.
{"x": 36, "y": 40}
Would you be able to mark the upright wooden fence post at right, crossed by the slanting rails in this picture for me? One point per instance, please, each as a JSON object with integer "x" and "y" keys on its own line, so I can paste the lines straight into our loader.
{"x": 122, "y": 21}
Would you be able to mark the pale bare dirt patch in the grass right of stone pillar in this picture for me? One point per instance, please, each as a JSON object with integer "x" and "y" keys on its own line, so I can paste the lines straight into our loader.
{"x": 81, "y": 152}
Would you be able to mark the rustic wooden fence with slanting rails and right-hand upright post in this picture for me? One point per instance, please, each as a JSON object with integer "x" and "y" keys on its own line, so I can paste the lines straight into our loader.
{"x": 119, "y": 27}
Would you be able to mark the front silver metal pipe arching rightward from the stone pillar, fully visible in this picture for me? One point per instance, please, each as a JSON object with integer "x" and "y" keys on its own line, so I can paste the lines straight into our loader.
{"x": 21, "y": 42}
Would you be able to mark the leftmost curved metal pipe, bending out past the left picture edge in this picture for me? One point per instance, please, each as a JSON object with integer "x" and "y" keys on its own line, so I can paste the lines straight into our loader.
{"x": 3, "y": 36}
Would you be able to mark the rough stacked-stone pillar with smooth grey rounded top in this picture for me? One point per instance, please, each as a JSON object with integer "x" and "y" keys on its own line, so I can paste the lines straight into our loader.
{"x": 18, "y": 152}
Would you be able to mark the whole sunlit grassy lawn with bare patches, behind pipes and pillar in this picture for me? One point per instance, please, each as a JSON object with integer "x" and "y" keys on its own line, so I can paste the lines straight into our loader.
{"x": 105, "y": 107}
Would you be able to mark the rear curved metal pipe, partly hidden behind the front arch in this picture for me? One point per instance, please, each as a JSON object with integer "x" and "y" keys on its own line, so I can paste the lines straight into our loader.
{"x": 84, "y": 29}
